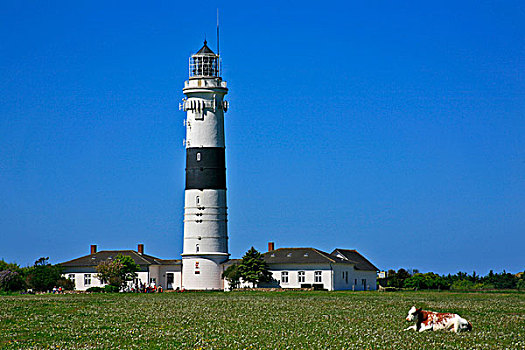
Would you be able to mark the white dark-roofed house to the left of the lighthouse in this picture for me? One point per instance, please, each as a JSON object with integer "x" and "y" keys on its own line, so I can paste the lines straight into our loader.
{"x": 161, "y": 272}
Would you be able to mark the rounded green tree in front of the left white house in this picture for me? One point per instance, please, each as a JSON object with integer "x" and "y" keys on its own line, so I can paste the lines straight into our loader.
{"x": 118, "y": 271}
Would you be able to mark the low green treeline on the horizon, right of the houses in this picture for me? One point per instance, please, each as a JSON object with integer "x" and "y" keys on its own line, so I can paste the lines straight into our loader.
{"x": 460, "y": 281}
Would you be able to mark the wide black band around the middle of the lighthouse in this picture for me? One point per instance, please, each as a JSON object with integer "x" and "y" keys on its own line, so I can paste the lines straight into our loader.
{"x": 205, "y": 168}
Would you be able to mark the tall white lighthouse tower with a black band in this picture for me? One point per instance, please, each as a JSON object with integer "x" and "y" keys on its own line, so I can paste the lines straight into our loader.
{"x": 205, "y": 212}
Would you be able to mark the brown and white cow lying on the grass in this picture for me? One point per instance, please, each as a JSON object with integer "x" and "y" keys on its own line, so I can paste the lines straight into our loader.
{"x": 429, "y": 320}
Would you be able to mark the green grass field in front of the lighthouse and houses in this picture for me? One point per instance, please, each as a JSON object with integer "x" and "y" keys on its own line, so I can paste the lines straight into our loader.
{"x": 256, "y": 320}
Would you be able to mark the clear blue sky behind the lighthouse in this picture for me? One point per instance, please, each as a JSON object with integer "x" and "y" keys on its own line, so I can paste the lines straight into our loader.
{"x": 397, "y": 129}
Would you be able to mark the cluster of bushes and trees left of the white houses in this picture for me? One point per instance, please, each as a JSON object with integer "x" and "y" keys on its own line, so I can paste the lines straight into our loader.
{"x": 42, "y": 276}
